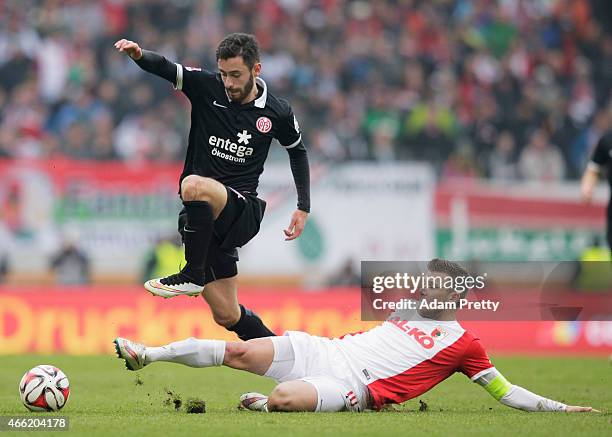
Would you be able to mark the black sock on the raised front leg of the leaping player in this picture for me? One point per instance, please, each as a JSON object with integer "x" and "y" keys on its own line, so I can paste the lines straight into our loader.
{"x": 198, "y": 232}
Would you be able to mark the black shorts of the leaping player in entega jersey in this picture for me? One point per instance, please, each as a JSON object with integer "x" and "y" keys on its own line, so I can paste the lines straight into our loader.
{"x": 237, "y": 224}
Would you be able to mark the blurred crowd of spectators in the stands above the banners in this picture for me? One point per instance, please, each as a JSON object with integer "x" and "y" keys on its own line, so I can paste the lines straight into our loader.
{"x": 507, "y": 89}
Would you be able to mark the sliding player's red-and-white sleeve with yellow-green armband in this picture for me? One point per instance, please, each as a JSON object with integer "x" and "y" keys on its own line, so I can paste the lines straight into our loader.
{"x": 477, "y": 366}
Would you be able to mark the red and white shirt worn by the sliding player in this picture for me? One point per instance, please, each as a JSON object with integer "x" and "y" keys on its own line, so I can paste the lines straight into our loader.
{"x": 402, "y": 359}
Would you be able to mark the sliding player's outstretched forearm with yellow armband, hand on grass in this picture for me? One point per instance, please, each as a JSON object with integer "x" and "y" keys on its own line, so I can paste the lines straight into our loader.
{"x": 518, "y": 397}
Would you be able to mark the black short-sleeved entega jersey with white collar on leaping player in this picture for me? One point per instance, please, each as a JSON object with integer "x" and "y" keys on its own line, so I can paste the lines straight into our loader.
{"x": 229, "y": 141}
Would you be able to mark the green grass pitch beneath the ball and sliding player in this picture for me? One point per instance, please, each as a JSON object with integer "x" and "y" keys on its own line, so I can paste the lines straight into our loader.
{"x": 106, "y": 399}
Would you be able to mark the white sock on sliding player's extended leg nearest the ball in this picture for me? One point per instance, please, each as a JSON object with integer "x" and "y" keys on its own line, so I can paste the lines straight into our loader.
{"x": 191, "y": 352}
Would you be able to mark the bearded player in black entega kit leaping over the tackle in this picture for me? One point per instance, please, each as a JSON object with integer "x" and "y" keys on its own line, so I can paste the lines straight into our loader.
{"x": 233, "y": 121}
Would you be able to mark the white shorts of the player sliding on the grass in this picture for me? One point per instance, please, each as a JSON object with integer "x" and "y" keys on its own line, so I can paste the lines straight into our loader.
{"x": 318, "y": 361}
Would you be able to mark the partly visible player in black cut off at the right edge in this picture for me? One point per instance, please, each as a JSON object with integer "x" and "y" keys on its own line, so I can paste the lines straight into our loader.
{"x": 601, "y": 160}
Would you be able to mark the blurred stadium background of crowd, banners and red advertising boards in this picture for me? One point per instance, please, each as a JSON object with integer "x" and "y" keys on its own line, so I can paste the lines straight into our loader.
{"x": 449, "y": 128}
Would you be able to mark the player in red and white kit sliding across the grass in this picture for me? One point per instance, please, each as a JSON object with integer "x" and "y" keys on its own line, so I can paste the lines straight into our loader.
{"x": 391, "y": 363}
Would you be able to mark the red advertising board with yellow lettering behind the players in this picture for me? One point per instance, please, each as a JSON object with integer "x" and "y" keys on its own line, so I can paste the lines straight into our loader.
{"x": 85, "y": 320}
